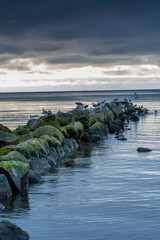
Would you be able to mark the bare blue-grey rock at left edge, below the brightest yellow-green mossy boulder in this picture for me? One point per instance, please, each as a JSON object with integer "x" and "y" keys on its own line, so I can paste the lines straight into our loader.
{"x": 5, "y": 189}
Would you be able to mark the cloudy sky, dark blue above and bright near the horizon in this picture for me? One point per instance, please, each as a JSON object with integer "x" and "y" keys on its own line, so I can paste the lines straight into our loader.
{"x": 70, "y": 45}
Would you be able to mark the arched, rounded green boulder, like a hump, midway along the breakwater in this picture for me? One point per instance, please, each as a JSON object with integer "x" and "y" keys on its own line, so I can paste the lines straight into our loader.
{"x": 48, "y": 130}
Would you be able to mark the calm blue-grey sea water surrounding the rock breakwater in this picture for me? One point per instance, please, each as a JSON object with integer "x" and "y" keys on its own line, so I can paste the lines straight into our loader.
{"x": 112, "y": 193}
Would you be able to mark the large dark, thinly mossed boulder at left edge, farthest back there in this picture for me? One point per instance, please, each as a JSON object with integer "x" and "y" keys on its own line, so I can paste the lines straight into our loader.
{"x": 8, "y": 138}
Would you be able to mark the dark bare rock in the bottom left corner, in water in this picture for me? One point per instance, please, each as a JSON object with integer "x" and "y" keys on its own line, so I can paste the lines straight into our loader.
{"x": 9, "y": 231}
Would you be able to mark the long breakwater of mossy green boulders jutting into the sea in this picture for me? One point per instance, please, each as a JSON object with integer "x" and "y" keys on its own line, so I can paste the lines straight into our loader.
{"x": 29, "y": 151}
